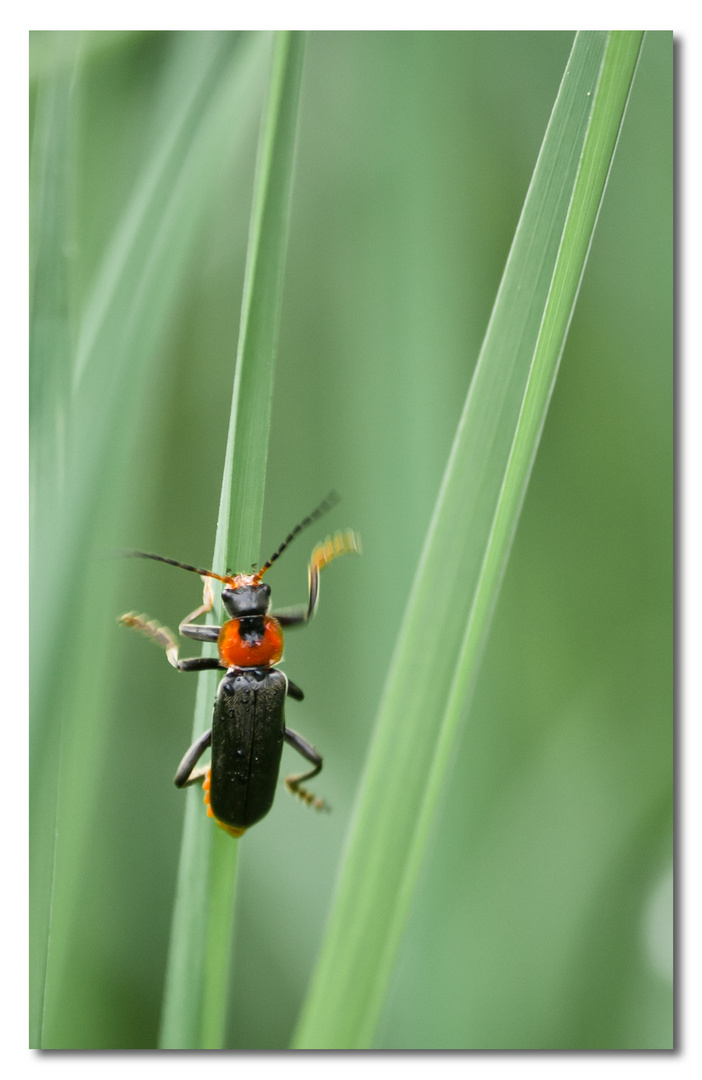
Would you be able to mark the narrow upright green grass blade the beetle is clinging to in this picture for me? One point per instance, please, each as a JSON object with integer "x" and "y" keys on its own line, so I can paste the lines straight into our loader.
{"x": 196, "y": 993}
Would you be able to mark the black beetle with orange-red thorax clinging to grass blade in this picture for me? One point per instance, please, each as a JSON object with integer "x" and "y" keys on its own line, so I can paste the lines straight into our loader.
{"x": 249, "y": 721}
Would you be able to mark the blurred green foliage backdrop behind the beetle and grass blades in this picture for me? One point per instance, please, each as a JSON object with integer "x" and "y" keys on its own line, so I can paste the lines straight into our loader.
{"x": 544, "y": 919}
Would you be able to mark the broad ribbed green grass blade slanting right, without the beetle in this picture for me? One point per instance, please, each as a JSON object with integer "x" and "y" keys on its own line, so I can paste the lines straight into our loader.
{"x": 437, "y": 659}
